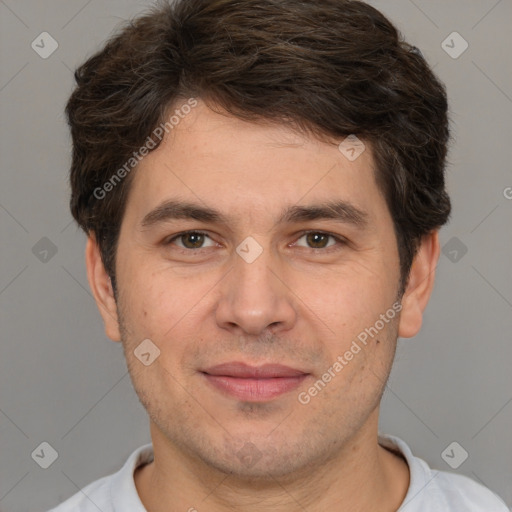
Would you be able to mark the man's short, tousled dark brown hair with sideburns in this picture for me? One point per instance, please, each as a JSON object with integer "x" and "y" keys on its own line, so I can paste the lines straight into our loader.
{"x": 330, "y": 68}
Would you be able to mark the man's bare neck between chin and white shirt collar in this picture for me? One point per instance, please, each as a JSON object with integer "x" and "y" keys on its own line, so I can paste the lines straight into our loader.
{"x": 358, "y": 477}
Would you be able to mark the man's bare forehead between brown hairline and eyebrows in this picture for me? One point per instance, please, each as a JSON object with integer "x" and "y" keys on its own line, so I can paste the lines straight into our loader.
{"x": 250, "y": 169}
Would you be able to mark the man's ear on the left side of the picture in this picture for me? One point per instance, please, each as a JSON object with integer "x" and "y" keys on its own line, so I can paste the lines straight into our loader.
{"x": 101, "y": 287}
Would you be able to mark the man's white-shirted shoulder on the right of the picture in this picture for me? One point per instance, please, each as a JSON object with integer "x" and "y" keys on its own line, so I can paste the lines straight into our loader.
{"x": 433, "y": 490}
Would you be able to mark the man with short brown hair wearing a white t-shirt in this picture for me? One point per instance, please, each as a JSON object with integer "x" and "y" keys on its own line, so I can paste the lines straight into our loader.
{"x": 262, "y": 185}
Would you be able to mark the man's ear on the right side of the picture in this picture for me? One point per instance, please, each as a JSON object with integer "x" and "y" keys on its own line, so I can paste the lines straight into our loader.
{"x": 419, "y": 286}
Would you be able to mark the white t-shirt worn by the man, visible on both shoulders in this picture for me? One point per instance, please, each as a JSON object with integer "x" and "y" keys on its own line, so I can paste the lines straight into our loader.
{"x": 429, "y": 490}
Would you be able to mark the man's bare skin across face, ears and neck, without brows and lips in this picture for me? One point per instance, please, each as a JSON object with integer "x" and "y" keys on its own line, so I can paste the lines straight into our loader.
{"x": 297, "y": 304}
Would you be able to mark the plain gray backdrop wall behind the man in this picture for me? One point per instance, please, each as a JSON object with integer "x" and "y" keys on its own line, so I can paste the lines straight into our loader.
{"x": 62, "y": 381}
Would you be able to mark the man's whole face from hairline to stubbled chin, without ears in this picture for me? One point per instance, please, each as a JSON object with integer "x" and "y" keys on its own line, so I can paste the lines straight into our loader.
{"x": 298, "y": 292}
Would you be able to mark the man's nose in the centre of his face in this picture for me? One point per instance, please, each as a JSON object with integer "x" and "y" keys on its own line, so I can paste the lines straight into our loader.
{"x": 255, "y": 297}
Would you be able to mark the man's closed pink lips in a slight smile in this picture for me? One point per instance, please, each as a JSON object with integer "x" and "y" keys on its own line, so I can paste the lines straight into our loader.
{"x": 254, "y": 383}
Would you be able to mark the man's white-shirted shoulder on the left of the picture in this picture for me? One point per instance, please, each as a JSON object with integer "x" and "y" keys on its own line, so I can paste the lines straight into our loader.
{"x": 112, "y": 492}
